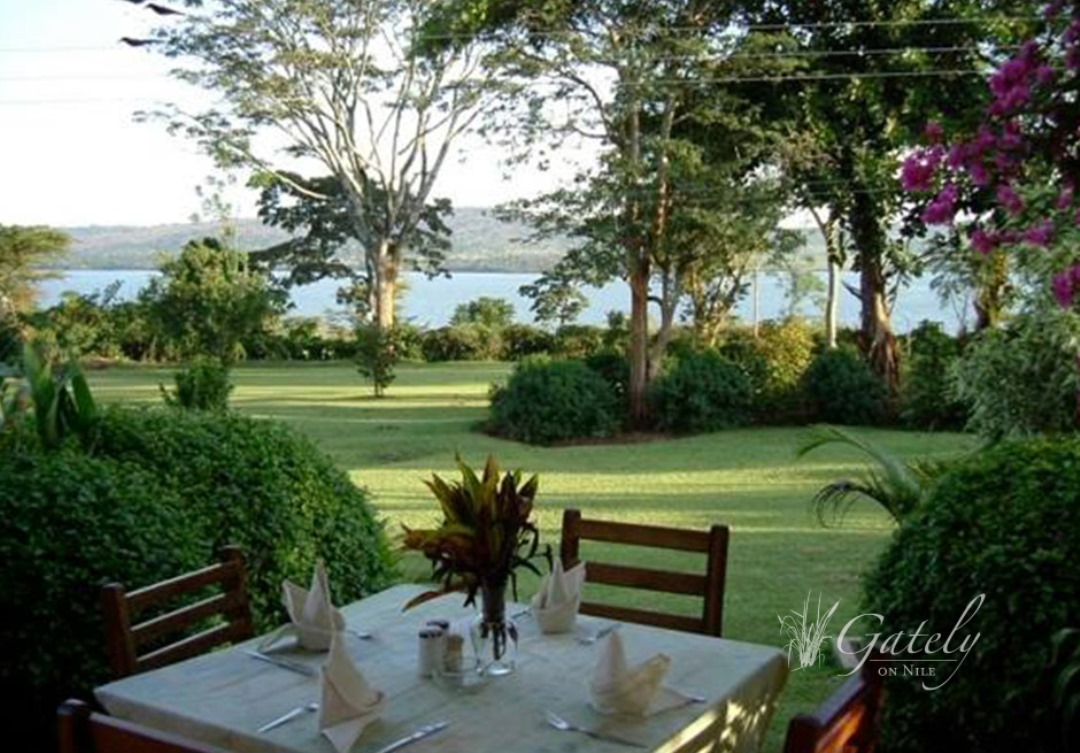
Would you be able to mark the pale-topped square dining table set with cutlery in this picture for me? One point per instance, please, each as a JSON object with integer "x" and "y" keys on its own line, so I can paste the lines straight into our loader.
{"x": 225, "y": 697}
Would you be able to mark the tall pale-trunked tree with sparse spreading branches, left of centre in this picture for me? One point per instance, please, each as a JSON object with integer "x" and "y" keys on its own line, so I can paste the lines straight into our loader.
{"x": 342, "y": 84}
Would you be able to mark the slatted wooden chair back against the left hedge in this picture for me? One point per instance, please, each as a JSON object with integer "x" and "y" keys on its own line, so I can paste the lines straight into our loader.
{"x": 127, "y": 640}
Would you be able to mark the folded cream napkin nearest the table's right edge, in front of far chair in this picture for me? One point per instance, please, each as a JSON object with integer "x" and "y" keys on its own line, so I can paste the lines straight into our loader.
{"x": 618, "y": 689}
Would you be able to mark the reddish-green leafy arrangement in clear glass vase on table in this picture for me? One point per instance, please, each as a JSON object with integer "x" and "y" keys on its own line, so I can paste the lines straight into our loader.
{"x": 485, "y": 536}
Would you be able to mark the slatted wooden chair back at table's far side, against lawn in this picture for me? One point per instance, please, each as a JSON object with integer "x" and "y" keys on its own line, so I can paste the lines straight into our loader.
{"x": 710, "y": 586}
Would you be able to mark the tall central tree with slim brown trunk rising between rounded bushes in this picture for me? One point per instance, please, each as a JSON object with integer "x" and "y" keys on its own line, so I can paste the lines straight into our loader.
{"x": 643, "y": 83}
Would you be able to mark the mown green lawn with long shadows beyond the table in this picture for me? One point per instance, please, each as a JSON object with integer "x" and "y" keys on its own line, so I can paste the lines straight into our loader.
{"x": 749, "y": 479}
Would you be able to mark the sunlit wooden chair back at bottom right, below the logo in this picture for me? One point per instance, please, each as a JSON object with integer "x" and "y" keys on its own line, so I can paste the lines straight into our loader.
{"x": 848, "y": 722}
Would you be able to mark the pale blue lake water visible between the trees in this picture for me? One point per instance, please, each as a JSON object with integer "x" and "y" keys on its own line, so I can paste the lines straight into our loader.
{"x": 431, "y": 303}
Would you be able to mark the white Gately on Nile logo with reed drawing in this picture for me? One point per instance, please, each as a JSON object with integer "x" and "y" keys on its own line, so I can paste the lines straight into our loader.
{"x": 934, "y": 656}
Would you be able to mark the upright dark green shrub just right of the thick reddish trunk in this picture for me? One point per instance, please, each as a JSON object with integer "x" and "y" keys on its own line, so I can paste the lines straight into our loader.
{"x": 927, "y": 396}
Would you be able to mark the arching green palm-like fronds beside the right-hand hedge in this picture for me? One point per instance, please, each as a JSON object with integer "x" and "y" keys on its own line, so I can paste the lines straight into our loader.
{"x": 898, "y": 487}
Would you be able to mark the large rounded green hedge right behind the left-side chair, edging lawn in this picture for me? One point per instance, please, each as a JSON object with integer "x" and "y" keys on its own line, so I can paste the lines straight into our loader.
{"x": 262, "y": 486}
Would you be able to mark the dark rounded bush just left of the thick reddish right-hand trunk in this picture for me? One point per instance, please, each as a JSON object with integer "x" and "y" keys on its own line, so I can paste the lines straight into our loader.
{"x": 841, "y": 388}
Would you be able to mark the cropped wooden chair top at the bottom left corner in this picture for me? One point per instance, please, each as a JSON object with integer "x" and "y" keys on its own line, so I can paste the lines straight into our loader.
{"x": 83, "y": 731}
